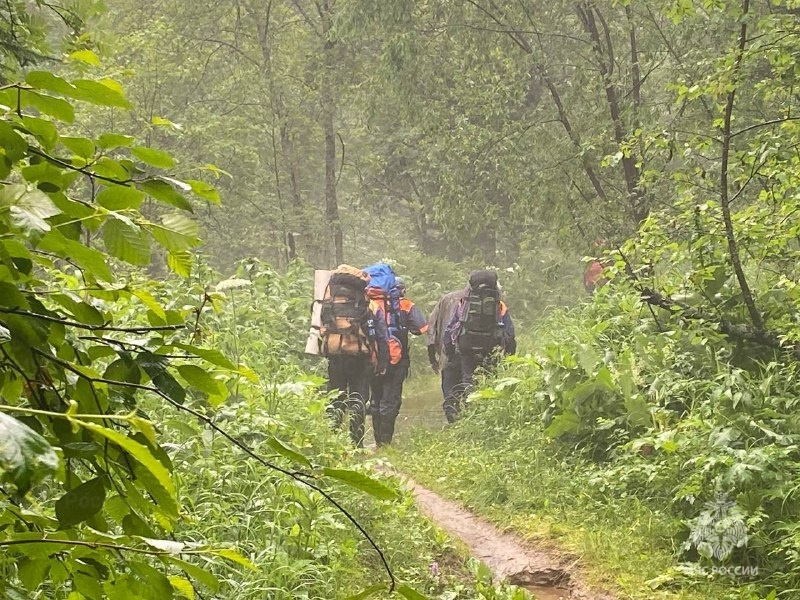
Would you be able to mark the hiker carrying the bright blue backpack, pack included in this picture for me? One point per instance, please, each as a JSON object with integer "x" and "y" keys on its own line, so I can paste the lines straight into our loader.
{"x": 402, "y": 318}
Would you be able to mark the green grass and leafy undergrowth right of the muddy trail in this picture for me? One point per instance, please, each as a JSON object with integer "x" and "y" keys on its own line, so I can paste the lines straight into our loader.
{"x": 616, "y": 442}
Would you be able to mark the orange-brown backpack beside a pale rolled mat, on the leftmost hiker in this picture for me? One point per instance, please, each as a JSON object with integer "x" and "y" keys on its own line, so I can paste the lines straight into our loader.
{"x": 344, "y": 316}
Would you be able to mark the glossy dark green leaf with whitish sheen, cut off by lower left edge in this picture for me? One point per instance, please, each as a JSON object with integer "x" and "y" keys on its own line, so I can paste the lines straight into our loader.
{"x": 25, "y": 456}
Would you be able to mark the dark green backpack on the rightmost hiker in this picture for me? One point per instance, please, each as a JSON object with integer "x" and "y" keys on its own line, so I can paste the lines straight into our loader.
{"x": 480, "y": 329}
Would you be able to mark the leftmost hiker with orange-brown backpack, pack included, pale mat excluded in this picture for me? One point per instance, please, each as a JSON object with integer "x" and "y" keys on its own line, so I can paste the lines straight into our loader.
{"x": 353, "y": 337}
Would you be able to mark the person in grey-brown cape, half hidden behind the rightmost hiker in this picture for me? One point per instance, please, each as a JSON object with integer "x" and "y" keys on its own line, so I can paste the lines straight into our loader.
{"x": 450, "y": 368}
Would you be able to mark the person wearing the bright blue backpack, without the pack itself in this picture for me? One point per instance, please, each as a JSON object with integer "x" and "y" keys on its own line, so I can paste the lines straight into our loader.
{"x": 387, "y": 391}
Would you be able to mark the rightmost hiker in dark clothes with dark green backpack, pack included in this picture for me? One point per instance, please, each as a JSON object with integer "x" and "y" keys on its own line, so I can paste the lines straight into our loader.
{"x": 480, "y": 327}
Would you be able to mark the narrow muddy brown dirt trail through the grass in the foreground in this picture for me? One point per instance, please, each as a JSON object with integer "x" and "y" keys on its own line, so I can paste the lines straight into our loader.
{"x": 543, "y": 573}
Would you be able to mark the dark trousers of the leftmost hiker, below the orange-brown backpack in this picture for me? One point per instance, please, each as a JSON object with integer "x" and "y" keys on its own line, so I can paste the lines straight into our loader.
{"x": 349, "y": 375}
